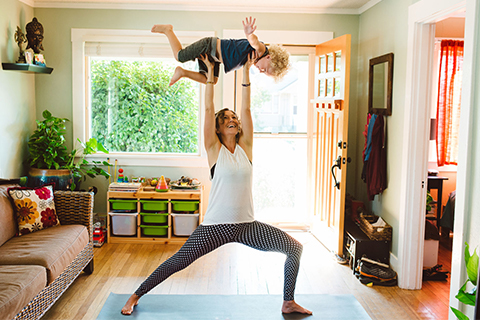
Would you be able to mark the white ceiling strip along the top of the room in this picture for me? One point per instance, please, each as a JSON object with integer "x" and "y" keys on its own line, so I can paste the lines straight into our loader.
{"x": 250, "y": 6}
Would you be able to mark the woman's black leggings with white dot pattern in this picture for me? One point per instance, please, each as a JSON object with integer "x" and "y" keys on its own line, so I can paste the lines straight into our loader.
{"x": 207, "y": 238}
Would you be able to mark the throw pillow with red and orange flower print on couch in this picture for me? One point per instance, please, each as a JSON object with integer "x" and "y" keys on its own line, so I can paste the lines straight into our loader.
{"x": 34, "y": 208}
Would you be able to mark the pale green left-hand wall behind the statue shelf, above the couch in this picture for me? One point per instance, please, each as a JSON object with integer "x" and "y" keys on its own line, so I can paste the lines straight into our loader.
{"x": 17, "y": 93}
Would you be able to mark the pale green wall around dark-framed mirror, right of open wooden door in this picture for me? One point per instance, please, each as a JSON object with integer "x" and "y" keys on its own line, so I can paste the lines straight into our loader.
{"x": 383, "y": 29}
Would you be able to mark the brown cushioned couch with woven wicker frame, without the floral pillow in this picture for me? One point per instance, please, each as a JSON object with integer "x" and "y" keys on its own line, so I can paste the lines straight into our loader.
{"x": 36, "y": 268}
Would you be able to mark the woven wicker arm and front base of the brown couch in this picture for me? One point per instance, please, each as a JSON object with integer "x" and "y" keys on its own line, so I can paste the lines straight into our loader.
{"x": 72, "y": 208}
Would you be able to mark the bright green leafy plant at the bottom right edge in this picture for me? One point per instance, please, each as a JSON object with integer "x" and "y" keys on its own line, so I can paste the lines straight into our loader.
{"x": 464, "y": 296}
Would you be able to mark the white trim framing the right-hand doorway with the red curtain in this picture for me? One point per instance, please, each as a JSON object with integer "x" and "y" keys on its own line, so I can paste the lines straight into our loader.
{"x": 421, "y": 15}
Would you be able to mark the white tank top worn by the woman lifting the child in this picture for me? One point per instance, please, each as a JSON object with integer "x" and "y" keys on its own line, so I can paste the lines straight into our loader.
{"x": 230, "y": 199}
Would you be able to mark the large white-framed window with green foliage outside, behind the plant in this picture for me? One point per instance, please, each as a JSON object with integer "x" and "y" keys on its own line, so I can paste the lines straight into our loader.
{"x": 122, "y": 97}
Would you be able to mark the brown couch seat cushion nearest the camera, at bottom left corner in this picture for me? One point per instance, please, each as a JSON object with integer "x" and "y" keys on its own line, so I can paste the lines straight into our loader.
{"x": 18, "y": 286}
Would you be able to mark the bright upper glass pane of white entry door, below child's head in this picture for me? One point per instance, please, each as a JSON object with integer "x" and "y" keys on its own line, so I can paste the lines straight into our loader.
{"x": 281, "y": 107}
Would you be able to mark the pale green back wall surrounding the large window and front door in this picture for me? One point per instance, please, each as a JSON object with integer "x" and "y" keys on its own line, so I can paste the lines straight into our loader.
{"x": 55, "y": 92}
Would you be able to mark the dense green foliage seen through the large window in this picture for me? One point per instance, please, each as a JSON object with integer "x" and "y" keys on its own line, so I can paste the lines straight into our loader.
{"x": 133, "y": 109}
